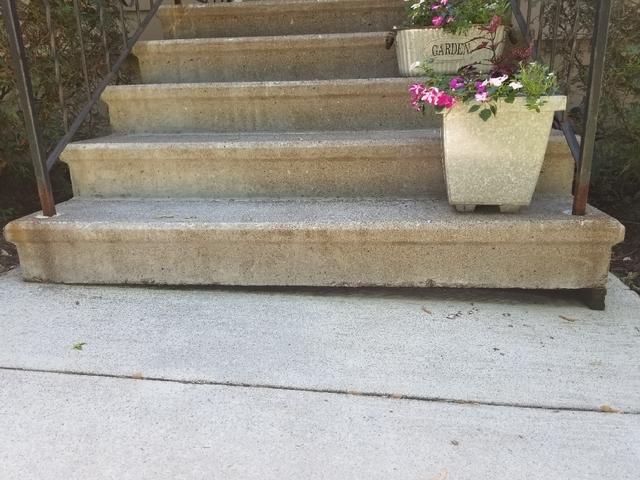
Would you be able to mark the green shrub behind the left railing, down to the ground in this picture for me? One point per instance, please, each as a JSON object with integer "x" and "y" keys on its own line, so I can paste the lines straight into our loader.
{"x": 18, "y": 193}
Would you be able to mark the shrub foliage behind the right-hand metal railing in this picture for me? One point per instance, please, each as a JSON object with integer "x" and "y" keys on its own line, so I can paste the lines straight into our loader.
{"x": 616, "y": 173}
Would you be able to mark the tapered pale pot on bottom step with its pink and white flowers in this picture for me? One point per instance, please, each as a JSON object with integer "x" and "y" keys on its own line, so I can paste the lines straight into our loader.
{"x": 495, "y": 131}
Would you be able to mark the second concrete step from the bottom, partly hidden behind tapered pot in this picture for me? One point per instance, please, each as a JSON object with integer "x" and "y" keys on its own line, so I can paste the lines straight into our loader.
{"x": 397, "y": 163}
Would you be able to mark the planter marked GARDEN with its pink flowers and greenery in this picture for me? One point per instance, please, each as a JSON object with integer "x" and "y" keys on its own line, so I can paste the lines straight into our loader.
{"x": 450, "y": 34}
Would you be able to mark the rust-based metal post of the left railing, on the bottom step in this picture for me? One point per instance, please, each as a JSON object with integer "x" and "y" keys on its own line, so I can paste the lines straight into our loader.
{"x": 27, "y": 104}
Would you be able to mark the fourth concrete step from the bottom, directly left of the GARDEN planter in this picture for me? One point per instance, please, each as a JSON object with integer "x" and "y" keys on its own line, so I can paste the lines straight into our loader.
{"x": 296, "y": 57}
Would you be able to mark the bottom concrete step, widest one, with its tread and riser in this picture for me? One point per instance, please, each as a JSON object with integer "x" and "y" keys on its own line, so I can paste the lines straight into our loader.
{"x": 331, "y": 242}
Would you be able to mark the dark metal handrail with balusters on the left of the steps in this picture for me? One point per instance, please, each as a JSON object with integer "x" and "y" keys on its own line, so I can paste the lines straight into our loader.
{"x": 42, "y": 161}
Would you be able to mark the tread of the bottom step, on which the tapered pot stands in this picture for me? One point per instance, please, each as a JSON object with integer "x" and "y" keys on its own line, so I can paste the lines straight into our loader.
{"x": 547, "y": 219}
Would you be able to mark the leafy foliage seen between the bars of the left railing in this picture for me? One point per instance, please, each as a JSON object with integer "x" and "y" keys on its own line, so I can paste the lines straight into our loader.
{"x": 47, "y": 85}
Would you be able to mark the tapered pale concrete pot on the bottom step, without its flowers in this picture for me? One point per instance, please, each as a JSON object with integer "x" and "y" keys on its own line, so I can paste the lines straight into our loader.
{"x": 498, "y": 161}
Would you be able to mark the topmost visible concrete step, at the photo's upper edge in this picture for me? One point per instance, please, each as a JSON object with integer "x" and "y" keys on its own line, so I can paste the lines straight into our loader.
{"x": 280, "y": 17}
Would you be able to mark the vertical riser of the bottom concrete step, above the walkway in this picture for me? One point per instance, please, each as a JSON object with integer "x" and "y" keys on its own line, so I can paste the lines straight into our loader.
{"x": 308, "y": 258}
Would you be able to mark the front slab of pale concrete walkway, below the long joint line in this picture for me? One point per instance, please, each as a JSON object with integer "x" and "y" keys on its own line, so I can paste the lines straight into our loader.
{"x": 69, "y": 427}
